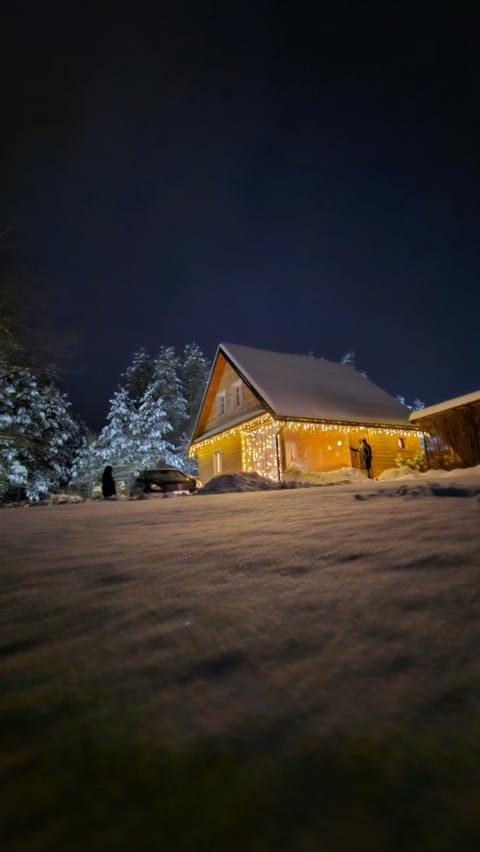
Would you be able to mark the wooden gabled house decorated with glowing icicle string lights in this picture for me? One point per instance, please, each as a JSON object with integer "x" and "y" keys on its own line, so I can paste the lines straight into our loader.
{"x": 269, "y": 412}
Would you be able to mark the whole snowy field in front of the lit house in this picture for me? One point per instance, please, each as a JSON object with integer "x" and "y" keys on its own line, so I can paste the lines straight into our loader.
{"x": 286, "y": 670}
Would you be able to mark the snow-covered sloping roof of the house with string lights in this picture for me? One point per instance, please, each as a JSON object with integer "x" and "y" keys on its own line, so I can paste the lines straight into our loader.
{"x": 306, "y": 388}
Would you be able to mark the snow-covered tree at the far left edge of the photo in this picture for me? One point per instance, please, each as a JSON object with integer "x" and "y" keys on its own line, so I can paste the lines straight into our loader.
{"x": 38, "y": 435}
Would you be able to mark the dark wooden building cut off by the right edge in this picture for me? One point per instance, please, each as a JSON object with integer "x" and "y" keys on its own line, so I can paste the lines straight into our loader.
{"x": 452, "y": 431}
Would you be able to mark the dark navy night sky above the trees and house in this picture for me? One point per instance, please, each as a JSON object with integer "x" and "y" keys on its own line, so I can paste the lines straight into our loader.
{"x": 288, "y": 176}
